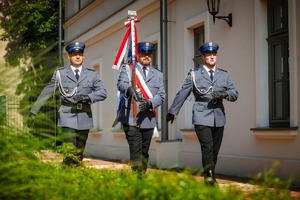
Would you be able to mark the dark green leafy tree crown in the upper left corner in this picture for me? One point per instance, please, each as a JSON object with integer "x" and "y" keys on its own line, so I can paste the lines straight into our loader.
{"x": 29, "y": 26}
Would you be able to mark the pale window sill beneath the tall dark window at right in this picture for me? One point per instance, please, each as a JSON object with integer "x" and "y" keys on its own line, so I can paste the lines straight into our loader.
{"x": 275, "y": 132}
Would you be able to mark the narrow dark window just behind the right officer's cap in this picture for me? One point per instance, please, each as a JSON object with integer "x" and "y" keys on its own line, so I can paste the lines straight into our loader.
{"x": 198, "y": 41}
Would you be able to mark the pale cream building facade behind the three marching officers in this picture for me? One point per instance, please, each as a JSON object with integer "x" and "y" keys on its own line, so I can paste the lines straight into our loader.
{"x": 260, "y": 50}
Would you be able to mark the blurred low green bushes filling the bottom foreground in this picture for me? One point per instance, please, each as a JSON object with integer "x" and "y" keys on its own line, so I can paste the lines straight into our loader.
{"x": 24, "y": 176}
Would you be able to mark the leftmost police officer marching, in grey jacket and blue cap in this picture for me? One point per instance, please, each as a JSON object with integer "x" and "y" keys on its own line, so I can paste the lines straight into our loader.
{"x": 79, "y": 87}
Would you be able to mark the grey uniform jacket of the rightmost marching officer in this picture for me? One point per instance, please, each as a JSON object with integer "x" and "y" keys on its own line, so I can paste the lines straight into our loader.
{"x": 206, "y": 111}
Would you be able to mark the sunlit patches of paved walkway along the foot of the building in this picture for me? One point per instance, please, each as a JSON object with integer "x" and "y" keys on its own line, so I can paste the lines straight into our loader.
{"x": 223, "y": 181}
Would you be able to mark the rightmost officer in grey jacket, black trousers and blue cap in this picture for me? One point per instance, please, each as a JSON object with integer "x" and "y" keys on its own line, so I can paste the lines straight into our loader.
{"x": 209, "y": 85}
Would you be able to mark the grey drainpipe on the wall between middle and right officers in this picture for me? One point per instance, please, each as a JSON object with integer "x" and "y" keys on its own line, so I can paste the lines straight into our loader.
{"x": 164, "y": 66}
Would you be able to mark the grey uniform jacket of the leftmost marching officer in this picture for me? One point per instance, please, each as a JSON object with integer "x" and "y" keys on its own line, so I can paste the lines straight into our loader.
{"x": 69, "y": 116}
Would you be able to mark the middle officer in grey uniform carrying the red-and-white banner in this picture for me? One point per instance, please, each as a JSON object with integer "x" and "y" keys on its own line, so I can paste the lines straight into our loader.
{"x": 139, "y": 129}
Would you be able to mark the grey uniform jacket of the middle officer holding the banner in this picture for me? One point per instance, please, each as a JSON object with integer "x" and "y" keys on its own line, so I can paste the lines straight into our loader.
{"x": 154, "y": 81}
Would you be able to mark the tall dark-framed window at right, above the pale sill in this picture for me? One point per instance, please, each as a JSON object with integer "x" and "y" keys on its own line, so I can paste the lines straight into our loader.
{"x": 279, "y": 86}
